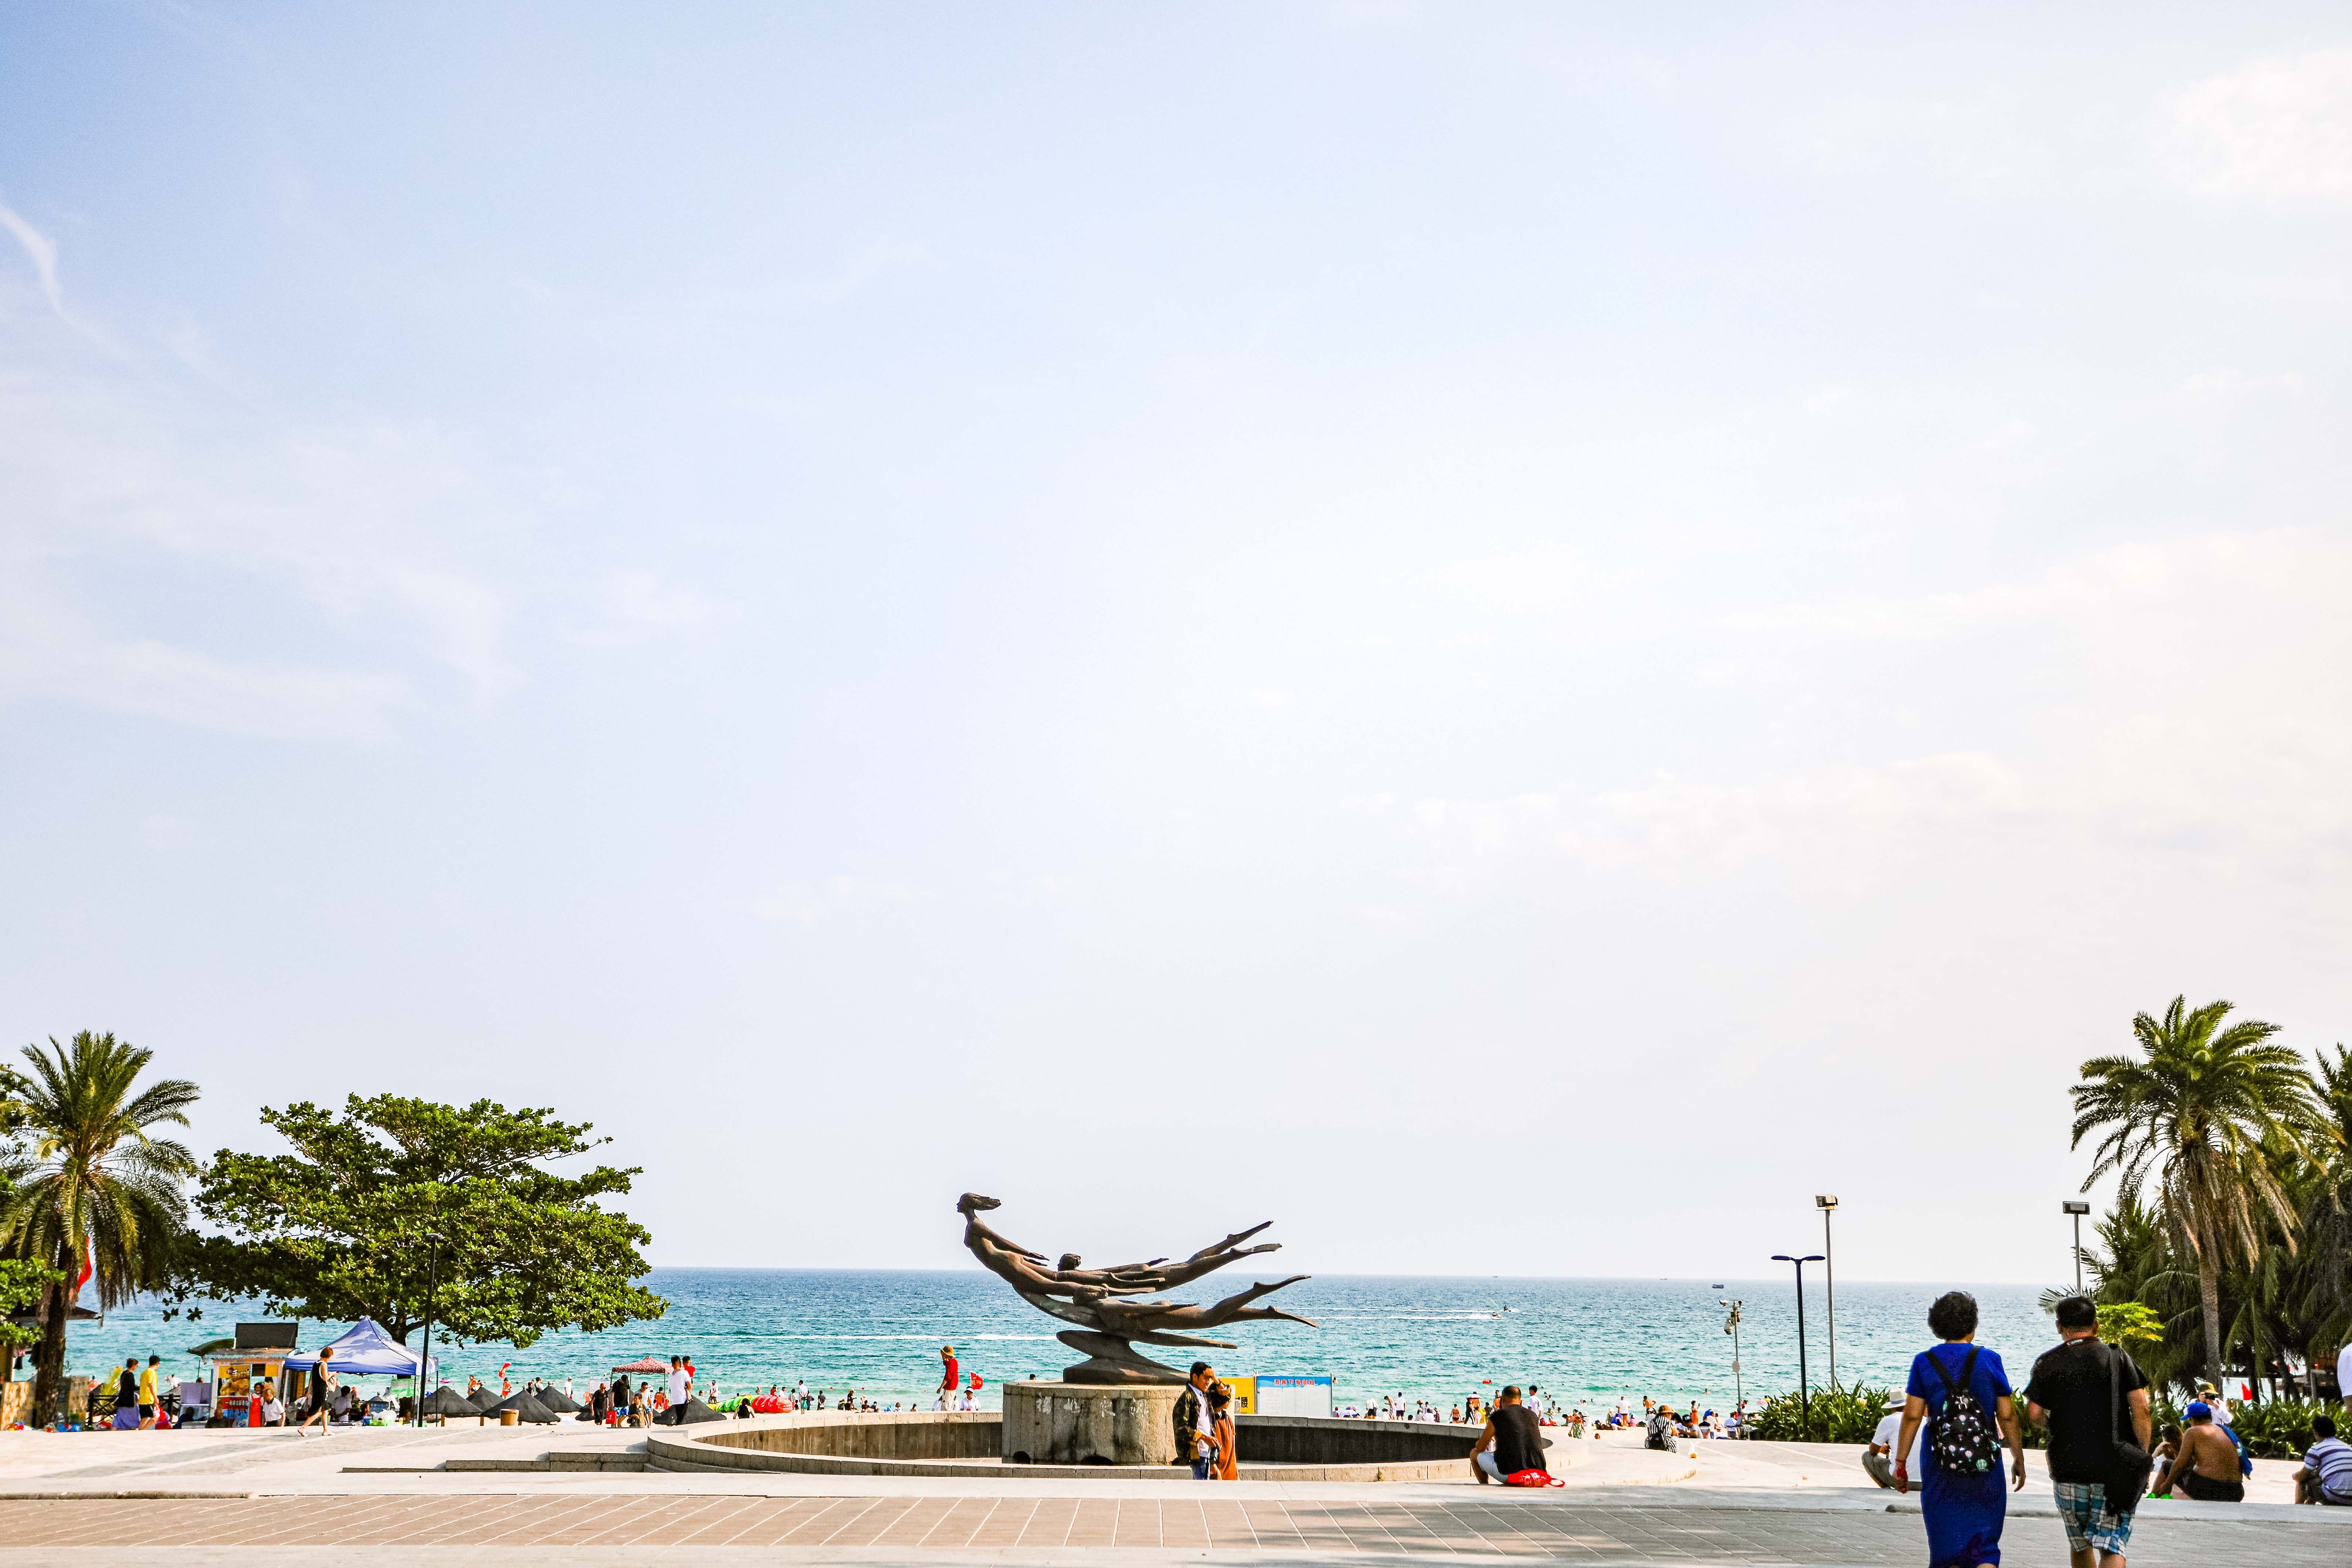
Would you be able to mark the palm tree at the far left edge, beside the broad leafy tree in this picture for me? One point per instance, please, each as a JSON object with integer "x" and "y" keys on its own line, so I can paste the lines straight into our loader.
{"x": 93, "y": 1179}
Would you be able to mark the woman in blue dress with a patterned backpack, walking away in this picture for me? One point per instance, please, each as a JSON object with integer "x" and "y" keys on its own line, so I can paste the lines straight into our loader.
{"x": 1965, "y": 1508}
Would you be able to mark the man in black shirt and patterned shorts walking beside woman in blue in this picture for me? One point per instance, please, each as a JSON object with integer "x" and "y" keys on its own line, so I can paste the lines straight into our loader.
{"x": 2090, "y": 1398}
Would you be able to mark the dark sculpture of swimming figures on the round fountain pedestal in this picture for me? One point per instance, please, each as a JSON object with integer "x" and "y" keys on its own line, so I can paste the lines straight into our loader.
{"x": 1102, "y": 1301}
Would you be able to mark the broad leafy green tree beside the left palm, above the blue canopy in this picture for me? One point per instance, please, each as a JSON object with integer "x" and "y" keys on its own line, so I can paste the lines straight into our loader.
{"x": 342, "y": 1226}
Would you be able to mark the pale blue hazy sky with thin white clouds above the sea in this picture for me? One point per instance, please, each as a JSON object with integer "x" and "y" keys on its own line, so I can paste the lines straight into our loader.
{"x": 1514, "y": 638}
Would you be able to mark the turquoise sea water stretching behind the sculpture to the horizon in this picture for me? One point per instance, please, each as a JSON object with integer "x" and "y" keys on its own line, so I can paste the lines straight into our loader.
{"x": 881, "y": 1334}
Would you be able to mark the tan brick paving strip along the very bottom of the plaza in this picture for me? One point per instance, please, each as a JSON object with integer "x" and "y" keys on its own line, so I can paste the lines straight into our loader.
{"x": 1563, "y": 1532}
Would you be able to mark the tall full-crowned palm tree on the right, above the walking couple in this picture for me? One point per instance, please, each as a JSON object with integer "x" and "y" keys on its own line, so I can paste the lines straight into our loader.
{"x": 2196, "y": 1113}
